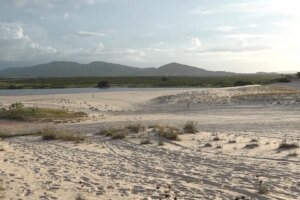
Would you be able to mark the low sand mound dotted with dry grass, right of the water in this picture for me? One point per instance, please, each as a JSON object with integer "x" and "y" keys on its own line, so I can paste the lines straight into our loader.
{"x": 254, "y": 94}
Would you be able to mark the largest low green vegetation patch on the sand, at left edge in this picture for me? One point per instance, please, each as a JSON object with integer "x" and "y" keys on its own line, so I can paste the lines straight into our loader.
{"x": 17, "y": 111}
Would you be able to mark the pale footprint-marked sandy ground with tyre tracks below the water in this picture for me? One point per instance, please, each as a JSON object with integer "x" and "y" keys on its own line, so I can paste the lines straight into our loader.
{"x": 228, "y": 119}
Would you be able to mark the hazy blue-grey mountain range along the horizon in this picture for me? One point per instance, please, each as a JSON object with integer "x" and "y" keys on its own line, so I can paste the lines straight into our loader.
{"x": 73, "y": 69}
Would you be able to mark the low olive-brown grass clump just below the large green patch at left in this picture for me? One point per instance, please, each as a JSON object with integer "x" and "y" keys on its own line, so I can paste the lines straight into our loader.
{"x": 52, "y": 134}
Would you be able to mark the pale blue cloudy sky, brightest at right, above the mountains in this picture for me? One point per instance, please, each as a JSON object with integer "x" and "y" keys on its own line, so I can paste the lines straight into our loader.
{"x": 227, "y": 35}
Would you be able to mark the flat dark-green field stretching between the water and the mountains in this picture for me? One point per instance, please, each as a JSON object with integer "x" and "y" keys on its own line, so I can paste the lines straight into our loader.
{"x": 72, "y": 82}
